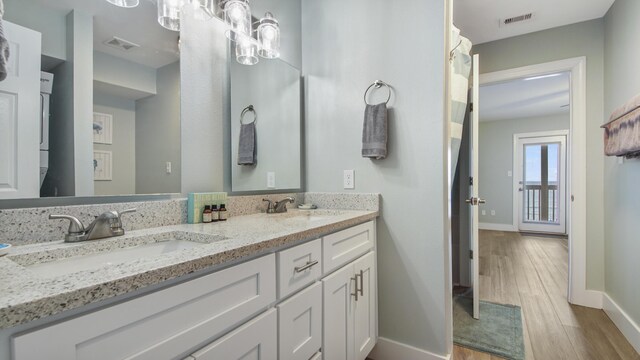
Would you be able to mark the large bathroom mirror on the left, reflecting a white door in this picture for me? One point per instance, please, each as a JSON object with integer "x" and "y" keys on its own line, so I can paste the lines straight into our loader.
{"x": 109, "y": 118}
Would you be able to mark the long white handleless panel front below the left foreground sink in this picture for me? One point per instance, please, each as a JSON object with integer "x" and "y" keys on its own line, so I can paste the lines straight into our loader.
{"x": 166, "y": 324}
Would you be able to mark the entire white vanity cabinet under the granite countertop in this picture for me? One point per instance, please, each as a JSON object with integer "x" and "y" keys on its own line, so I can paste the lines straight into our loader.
{"x": 312, "y": 301}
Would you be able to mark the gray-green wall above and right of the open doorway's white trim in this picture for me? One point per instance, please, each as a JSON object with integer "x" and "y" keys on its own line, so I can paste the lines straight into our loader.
{"x": 582, "y": 39}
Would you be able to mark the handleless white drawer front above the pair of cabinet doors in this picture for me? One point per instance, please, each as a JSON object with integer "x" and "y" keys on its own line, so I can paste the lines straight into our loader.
{"x": 342, "y": 247}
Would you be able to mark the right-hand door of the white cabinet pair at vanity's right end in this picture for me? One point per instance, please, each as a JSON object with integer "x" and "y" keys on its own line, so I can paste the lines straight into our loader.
{"x": 365, "y": 307}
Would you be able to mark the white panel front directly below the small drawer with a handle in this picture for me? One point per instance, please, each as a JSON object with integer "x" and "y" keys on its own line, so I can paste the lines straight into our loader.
{"x": 300, "y": 324}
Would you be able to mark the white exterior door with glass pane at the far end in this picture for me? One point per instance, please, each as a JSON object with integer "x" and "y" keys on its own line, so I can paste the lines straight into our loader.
{"x": 541, "y": 176}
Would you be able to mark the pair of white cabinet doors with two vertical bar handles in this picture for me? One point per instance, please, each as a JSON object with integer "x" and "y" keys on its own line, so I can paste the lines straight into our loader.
{"x": 350, "y": 310}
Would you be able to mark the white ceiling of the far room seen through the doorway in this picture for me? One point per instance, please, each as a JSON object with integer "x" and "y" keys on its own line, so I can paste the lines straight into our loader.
{"x": 518, "y": 99}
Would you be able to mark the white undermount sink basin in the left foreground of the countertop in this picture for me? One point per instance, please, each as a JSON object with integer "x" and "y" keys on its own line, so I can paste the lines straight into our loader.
{"x": 119, "y": 256}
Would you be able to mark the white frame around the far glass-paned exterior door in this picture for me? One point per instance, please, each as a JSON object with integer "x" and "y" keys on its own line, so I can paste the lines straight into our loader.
{"x": 516, "y": 185}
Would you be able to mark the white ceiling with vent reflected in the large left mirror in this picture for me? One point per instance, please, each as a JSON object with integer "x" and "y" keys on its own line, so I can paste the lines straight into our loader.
{"x": 158, "y": 46}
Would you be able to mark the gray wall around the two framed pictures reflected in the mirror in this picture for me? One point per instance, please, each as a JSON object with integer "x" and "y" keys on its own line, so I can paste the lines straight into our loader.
{"x": 124, "y": 144}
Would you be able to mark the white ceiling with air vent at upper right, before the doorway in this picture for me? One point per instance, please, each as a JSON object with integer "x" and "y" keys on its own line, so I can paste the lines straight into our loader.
{"x": 479, "y": 20}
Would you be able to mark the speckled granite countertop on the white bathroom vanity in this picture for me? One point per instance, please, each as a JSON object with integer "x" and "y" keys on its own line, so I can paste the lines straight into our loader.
{"x": 26, "y": 295}
